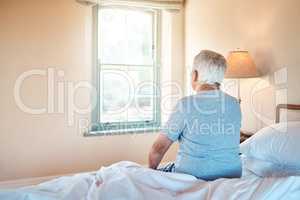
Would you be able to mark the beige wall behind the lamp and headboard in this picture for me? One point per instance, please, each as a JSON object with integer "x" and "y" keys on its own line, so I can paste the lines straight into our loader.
{"x": 269, "y": 30}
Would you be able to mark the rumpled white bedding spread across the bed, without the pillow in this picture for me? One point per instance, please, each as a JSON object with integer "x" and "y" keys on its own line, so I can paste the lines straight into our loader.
{"x": 127, "y": 180}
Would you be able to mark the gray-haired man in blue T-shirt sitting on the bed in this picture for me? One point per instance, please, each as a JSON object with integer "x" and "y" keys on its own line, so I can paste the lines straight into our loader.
{"x": 206, "y": 125}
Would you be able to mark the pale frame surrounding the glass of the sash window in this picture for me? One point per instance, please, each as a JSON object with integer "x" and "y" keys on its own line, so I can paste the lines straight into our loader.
{"x": 98, "y": 128}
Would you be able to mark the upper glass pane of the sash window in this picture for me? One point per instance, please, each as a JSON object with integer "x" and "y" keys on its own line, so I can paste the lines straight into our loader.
{"x": 126, "y": 37}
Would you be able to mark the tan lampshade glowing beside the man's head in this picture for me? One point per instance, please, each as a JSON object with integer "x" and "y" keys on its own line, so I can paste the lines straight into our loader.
{"x": 240, "y": 65}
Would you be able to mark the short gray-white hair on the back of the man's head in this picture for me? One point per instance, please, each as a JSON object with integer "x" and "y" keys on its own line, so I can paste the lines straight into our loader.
{"x": 211, "y": 67}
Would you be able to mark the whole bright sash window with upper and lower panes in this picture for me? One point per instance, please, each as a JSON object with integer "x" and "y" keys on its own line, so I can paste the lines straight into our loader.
{"x": 128, "y": 69}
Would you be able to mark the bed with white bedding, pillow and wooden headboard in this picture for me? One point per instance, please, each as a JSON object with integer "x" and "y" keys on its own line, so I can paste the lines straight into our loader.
{"x": 278, "y": 178}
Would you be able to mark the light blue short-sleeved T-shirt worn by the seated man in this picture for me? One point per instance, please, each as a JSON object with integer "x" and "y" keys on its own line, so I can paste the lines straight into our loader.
{"x": 207, "y": 127}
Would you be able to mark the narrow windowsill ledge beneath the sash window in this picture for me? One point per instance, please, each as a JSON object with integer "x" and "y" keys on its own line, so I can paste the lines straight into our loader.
{"x": 121, "y": 132}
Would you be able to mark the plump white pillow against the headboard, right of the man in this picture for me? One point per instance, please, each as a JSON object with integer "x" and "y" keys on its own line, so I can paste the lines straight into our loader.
{"x": 274, "y": 150}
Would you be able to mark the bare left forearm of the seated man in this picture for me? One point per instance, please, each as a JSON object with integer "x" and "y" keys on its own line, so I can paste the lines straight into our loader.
{"x": 158, "y": 150}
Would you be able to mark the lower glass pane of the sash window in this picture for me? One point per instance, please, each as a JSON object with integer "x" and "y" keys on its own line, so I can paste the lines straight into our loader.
{"x": 127, "y": 94}
